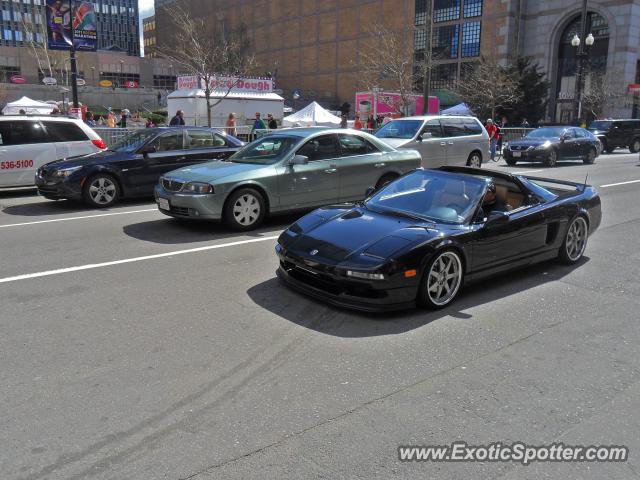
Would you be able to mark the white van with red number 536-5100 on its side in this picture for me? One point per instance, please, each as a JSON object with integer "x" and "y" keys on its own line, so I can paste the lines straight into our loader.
{"x": 28, "y": 142}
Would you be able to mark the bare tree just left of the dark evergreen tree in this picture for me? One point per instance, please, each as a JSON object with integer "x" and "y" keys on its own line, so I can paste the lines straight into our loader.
{"x": 487, "y": 87}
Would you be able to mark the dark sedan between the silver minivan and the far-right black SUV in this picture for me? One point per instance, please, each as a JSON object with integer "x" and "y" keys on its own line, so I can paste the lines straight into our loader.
{"x": 550, "y": 144}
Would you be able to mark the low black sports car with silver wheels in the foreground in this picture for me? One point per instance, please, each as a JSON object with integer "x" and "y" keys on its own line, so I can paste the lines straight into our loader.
{"x": 422, "y": 236}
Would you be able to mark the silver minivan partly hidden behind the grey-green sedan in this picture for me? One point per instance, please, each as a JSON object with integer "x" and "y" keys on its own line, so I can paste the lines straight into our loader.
{"x": 440, "y": 139}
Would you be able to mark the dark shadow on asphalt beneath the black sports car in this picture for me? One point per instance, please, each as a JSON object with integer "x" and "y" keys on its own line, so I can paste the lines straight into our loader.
{"x": 272, "y": 295}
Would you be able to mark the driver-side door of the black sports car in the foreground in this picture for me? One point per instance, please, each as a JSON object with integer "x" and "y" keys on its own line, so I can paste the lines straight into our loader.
{"x": 524, "y": 235}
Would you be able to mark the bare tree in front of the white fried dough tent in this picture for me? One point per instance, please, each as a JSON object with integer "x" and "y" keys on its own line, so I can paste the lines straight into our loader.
{"x": 208, "y": 52}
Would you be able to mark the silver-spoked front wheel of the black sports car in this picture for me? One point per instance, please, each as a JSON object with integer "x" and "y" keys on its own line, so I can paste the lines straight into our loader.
{"x": 441, "y": 281}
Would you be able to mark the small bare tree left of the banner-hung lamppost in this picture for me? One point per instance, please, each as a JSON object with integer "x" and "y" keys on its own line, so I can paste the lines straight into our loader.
{"x": 51, "y": 63}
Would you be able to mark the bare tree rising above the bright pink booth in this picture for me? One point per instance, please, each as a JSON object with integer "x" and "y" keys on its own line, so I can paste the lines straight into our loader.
{"x": 387, "y": 59}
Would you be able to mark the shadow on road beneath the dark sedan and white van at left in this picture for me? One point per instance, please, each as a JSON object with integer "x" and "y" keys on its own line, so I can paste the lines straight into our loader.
{"x": 61, "y": 207}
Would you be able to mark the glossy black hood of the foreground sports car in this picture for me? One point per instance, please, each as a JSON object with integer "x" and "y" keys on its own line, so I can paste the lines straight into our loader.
{"x": 342, "y": 234}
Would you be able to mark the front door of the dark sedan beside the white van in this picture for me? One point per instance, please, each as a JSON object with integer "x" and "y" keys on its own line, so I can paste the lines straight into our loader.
{"x": 168, "y": 154}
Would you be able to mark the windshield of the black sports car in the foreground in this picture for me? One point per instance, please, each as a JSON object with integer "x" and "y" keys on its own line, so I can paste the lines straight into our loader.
{"x": 438, "y": 196}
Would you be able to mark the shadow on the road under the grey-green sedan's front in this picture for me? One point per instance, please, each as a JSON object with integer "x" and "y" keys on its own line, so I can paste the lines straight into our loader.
{"x": 172, "y": 231}
